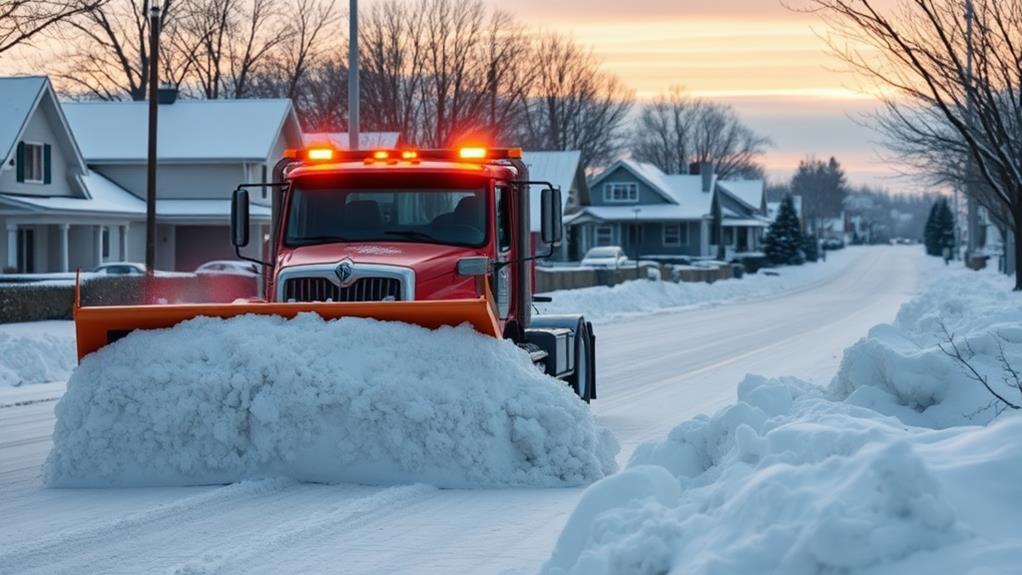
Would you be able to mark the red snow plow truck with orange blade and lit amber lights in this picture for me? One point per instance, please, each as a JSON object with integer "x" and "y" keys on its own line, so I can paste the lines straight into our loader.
{"x": 428, "y": 237}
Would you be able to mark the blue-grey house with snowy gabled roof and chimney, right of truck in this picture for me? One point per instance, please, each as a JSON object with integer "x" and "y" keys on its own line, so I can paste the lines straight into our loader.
{"x": 658, "y": 216}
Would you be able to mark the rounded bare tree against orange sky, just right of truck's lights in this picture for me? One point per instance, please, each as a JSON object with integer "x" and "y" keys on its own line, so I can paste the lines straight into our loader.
{"x": 575, "y": 106}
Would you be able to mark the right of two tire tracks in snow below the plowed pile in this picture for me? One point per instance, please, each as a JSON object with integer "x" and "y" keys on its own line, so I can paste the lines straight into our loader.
{"x": 282, "y": 537}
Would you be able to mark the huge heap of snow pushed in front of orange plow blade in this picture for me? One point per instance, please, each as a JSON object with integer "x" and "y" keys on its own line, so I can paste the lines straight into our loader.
{"x": 361, "y": 401}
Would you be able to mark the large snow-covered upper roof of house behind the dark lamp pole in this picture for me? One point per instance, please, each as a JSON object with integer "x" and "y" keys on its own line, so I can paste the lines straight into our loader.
{"x": 189, "y": 130}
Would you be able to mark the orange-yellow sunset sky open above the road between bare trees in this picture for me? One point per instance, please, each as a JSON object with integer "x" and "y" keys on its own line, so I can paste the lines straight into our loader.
{"x": 767, "y": 61}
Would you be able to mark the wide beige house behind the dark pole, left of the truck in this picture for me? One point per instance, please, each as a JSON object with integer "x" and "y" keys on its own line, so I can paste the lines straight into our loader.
{"x": 206, "y": 149}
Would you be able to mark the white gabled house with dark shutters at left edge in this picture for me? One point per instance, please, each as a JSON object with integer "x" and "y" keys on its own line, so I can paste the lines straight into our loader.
{"x": 58, "y": 214}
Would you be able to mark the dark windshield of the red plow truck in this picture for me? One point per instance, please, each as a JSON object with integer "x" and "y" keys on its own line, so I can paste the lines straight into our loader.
{"x": 450, "y": 217}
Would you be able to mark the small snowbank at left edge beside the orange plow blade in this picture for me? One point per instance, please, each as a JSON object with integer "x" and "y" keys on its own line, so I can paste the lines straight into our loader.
{"x": 36, "y": 354}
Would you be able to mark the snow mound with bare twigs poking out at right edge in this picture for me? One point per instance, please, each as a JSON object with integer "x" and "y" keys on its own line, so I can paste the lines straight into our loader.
{"x": 901, "y": 370}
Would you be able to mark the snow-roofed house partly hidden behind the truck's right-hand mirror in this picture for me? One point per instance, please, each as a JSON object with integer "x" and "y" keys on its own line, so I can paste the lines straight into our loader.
{"x": 566, "y": 172}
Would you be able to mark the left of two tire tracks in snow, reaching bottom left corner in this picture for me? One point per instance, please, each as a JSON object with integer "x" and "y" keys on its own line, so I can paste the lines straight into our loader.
{"x": 47, "y": 551}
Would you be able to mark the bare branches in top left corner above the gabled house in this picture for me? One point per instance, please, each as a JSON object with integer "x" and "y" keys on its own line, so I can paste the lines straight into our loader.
{"x": 22, "y": 21}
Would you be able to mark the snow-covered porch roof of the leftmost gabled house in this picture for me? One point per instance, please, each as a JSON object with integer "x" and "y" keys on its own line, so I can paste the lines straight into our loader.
{"x": 104, "y": 199}
